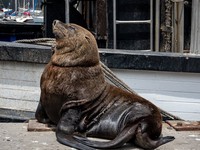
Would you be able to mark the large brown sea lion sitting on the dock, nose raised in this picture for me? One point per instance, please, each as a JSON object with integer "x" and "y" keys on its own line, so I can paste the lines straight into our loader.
{"x": 76, "y": 97}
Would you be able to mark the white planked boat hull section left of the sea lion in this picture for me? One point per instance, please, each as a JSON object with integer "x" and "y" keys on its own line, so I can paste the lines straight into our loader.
{"x": 19, "y": 85}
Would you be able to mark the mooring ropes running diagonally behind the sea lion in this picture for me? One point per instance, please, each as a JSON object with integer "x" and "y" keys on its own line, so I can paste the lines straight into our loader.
{"x": 108, "y": 73}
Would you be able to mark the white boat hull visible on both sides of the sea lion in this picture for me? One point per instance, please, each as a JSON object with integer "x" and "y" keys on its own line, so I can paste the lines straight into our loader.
{"x": 177, "y": 93}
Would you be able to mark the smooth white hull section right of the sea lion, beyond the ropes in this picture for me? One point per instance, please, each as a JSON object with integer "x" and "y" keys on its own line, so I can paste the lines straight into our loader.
{"x": 177, "y": 93}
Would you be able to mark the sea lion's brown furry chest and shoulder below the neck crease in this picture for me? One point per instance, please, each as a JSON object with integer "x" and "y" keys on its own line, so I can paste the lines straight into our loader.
{"x": 62, "y": 84}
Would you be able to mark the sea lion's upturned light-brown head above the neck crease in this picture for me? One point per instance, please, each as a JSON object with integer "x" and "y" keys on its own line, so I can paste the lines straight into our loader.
{"x": 75, "y": 46}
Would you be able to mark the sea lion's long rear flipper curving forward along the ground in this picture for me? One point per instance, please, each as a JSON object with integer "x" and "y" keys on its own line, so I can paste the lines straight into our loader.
{"x": 123, "y": 137}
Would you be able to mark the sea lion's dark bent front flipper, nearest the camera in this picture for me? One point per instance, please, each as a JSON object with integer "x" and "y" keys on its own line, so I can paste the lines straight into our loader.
{"x": 66, "y": 128}
